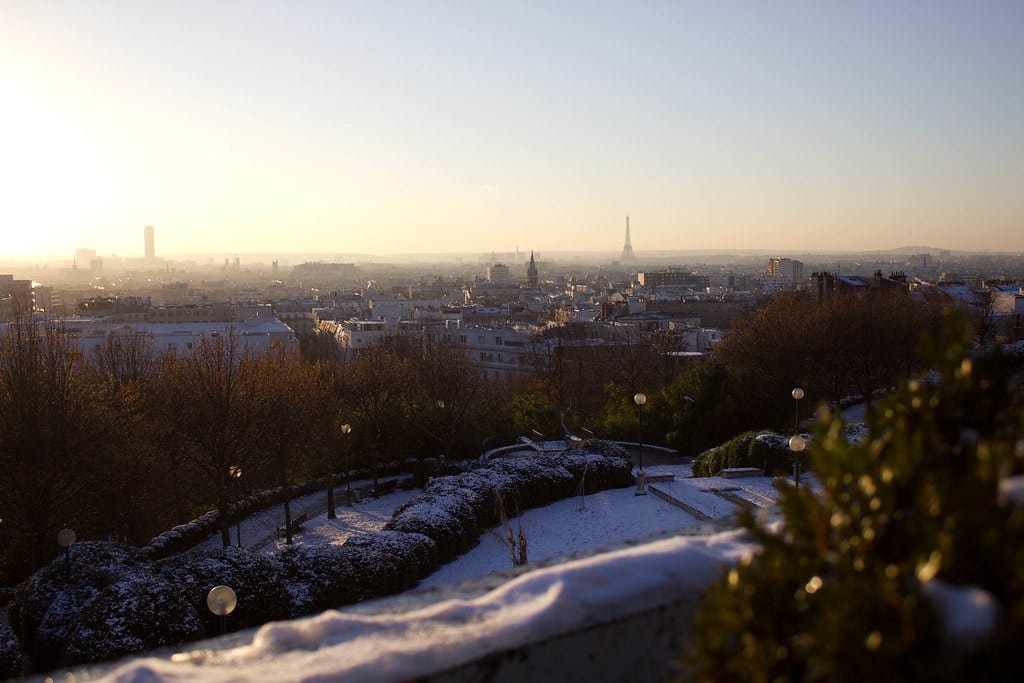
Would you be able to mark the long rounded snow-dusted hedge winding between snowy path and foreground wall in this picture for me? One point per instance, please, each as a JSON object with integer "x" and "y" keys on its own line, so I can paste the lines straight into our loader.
{"x": 119, "y": 602}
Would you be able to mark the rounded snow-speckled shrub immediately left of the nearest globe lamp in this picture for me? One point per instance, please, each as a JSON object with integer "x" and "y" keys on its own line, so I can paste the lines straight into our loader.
{"x": 136, "y": 615}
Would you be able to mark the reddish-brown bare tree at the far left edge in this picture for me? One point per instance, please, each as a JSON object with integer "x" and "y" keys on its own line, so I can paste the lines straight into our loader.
{"x": 57, "y": 433}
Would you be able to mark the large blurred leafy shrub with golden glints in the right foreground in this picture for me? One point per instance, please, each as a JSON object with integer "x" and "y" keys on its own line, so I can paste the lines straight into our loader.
{"x": 846, "y": 589}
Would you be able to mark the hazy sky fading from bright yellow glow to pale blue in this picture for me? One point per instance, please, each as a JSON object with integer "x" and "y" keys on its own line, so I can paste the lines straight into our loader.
{"x": 388, "y": 127}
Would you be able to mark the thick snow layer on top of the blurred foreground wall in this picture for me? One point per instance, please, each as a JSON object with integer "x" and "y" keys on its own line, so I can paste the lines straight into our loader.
{"x": 541, "y": 605}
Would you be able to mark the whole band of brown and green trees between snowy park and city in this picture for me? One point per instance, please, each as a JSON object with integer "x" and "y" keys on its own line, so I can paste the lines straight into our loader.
{"x": 121, "y": 444}
